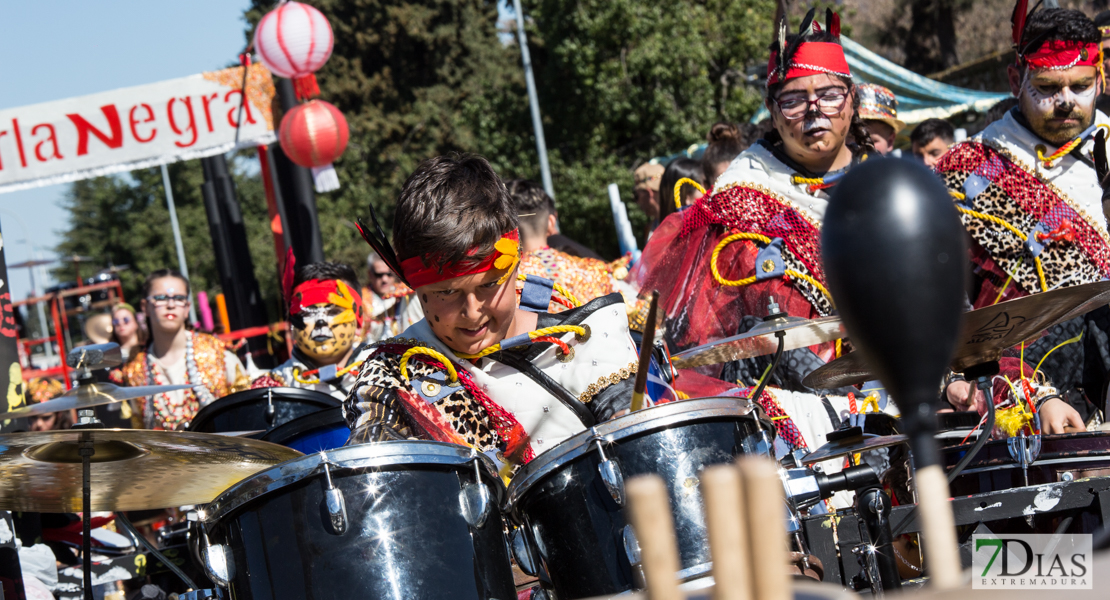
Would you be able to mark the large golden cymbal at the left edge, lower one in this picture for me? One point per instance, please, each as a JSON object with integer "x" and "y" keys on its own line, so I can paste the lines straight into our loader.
{"x": 133, "y": 470}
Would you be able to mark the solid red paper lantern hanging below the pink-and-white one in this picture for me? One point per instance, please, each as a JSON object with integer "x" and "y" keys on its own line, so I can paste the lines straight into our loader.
{"x": 314, "y": 135}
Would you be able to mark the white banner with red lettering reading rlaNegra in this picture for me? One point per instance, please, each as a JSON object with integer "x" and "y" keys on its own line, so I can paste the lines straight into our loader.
{"x": 135, "y": 128}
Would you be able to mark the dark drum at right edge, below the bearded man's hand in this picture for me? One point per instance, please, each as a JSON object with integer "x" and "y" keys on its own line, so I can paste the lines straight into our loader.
{"x": 1064, "y": 457}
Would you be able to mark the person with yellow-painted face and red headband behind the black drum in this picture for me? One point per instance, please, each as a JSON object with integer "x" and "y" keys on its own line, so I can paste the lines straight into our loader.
{"x": 326, "y": 313}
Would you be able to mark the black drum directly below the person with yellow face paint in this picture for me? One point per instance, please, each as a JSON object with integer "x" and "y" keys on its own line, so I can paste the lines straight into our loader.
{"x": 259, "y": 410}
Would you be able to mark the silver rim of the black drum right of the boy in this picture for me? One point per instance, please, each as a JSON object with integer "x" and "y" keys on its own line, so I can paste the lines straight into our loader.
{"x": 634, "y": 424}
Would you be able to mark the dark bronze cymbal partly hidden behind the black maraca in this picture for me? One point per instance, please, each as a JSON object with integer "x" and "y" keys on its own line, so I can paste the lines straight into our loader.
{"x": 987, "y": 332}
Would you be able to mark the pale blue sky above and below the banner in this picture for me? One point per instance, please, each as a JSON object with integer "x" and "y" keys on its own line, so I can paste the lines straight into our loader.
{"x": 63, "y": 48}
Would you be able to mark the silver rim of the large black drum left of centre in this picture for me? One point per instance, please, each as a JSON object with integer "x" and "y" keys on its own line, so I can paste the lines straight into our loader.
{"x": 380, "y": 454}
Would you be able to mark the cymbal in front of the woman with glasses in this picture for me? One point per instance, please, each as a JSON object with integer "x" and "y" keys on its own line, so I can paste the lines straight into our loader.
{"x": 761, "y": 341}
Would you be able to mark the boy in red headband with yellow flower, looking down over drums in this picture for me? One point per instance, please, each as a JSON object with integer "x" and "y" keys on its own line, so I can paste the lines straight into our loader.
{"x": 478, "y": 370}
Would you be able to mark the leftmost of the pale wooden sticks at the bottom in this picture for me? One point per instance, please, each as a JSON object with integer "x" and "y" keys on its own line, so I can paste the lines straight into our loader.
{"x": 655, "y": 532}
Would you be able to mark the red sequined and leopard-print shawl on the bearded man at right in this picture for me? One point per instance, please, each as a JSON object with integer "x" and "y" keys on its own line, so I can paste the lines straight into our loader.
{"x": 1021, "y": 200}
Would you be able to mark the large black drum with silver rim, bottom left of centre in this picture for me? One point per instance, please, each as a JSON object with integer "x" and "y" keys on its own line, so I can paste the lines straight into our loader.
{"x": 393, "y": 520}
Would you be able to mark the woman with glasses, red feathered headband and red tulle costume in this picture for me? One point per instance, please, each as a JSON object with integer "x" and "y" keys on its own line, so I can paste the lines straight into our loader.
{"x": 753, "y": 247}
